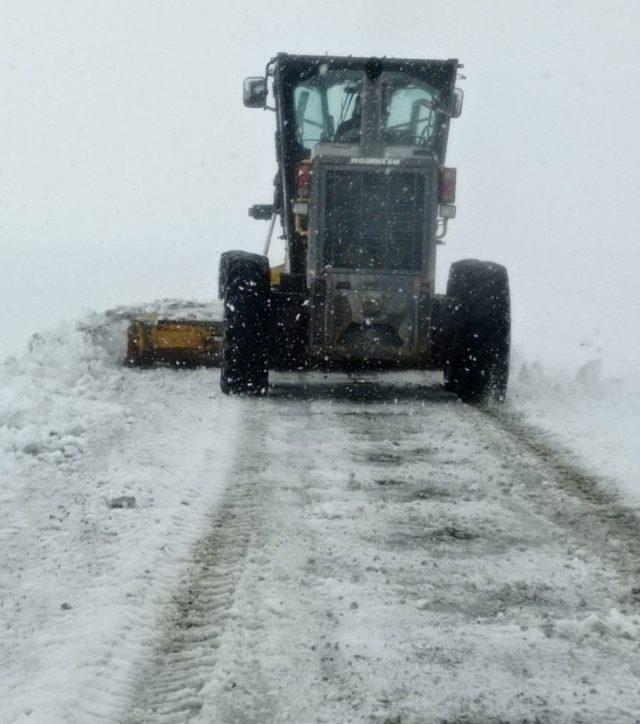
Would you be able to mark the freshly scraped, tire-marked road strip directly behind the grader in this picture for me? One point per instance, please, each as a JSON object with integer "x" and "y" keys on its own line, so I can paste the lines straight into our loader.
{"x": 378, "y": 559}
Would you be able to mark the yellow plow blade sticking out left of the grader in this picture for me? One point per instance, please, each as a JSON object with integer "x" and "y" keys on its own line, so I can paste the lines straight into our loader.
{"x": 177, "y": 342}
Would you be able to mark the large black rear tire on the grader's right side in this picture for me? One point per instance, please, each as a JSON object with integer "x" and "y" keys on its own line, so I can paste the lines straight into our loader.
{"x": 476, "y": 357}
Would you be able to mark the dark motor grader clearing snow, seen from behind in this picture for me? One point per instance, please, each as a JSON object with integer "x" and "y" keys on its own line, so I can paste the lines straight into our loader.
{"x": 363, "y": 198}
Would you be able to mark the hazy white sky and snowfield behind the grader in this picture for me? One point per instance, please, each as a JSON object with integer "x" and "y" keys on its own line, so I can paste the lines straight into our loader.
{"x": 127, "y": 160}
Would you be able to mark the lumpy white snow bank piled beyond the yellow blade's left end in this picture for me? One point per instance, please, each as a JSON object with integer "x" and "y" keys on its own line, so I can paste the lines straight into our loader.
{"x": 63, "y": 386}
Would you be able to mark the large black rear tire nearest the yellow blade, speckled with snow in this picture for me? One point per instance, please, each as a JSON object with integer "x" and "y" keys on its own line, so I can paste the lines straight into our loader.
{"x": 245, "y": 347}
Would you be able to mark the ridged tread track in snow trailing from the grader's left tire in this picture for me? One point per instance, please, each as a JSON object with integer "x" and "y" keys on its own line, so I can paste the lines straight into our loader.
{"x": 183, "y": 660}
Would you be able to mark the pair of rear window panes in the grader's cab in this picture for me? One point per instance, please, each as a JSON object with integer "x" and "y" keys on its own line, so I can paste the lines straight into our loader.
{"x": 328, "y": 108}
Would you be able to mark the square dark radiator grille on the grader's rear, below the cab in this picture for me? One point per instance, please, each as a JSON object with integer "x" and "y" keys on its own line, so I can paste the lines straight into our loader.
{"x": 374, "y": 219}
